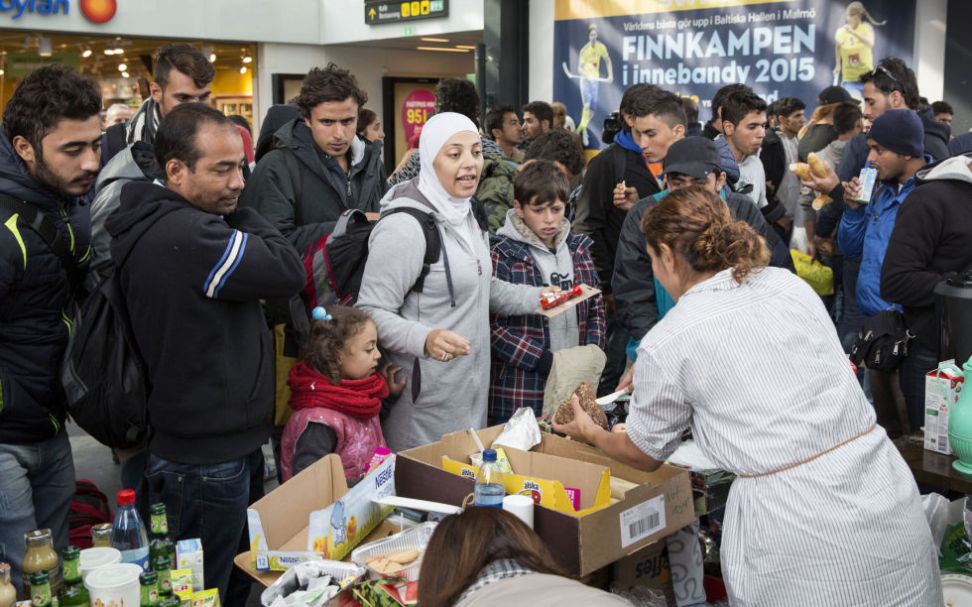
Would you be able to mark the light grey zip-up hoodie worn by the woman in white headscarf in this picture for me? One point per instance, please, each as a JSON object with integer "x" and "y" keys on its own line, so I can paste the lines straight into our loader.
{"x": 452, "y": 395}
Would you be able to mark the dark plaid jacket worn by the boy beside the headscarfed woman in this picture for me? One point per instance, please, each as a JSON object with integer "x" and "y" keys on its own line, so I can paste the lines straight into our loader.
{"x": 518, "y": 342}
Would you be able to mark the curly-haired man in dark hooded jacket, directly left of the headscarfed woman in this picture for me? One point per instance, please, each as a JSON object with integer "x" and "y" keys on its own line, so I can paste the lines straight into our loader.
{"x": 318, "y": 168}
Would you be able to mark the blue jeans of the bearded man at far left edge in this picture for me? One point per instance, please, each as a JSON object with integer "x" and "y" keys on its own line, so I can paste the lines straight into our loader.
{"x": 36, "y": 487}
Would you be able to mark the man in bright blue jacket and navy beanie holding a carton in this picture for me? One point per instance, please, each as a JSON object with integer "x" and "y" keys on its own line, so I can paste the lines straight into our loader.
{"x": 896, "y": 147}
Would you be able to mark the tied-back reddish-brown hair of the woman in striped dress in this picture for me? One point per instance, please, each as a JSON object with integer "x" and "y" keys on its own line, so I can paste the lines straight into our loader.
{"x": 696, "y": 224}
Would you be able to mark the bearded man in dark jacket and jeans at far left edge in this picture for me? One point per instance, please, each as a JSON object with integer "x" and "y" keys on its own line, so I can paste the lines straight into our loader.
{"x": 49, "y": 156}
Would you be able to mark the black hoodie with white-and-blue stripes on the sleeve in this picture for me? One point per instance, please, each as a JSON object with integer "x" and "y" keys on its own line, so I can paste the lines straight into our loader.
{"x": 193, "y": 283}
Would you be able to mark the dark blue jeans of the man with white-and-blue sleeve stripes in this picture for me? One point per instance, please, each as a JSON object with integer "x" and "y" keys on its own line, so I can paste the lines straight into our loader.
{"x": 207, "y": 502}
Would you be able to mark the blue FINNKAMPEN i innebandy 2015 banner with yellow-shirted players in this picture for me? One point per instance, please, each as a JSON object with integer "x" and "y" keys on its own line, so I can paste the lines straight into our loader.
{"x": 791, "y": 48}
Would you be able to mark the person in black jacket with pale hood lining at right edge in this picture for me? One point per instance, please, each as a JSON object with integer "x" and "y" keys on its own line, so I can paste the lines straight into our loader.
{"x": 930, "y": 241}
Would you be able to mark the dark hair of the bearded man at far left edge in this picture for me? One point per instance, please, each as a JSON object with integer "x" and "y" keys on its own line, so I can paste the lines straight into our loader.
{"x": 45, "y": 97}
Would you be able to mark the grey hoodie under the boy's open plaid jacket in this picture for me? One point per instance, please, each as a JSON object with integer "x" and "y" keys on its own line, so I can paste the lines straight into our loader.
{"x": 556, "y": 267}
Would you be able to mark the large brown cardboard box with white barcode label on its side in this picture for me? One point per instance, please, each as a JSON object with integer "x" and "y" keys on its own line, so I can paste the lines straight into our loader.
{"x": 582, "y": 542}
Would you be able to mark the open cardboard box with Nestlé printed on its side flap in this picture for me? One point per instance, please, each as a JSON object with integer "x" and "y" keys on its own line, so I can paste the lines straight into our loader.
{"x": 279, "y": 522}
